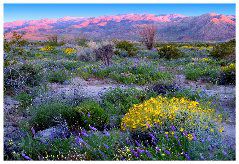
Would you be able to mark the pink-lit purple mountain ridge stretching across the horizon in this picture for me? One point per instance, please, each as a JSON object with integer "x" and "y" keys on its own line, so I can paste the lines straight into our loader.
{"x": 171, "y": 27}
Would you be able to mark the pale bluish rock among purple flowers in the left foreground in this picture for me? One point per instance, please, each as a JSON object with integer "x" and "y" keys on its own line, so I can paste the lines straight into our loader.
{"x": 56, "y": 132}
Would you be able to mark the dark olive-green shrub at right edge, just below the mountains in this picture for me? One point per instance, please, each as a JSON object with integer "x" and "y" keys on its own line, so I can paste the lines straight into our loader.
{"x": 223, "y": 50}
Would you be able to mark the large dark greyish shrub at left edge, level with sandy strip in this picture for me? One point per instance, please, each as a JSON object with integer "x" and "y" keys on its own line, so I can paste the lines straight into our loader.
{"x": 17, "y": 78}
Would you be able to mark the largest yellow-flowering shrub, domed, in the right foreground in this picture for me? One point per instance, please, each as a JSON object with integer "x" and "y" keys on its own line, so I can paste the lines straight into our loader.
{"x": 162, "y": 111}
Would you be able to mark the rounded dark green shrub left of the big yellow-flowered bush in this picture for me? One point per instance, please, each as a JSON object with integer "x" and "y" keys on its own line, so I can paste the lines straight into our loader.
{"x": 91, "y": 114}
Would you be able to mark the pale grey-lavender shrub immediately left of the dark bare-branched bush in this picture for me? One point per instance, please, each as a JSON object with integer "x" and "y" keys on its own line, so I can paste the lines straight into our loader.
{"x": 86, "y": 55}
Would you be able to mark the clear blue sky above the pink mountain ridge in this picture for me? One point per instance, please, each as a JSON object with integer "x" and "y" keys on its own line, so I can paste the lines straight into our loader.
{"x": 14, "y": 12}
